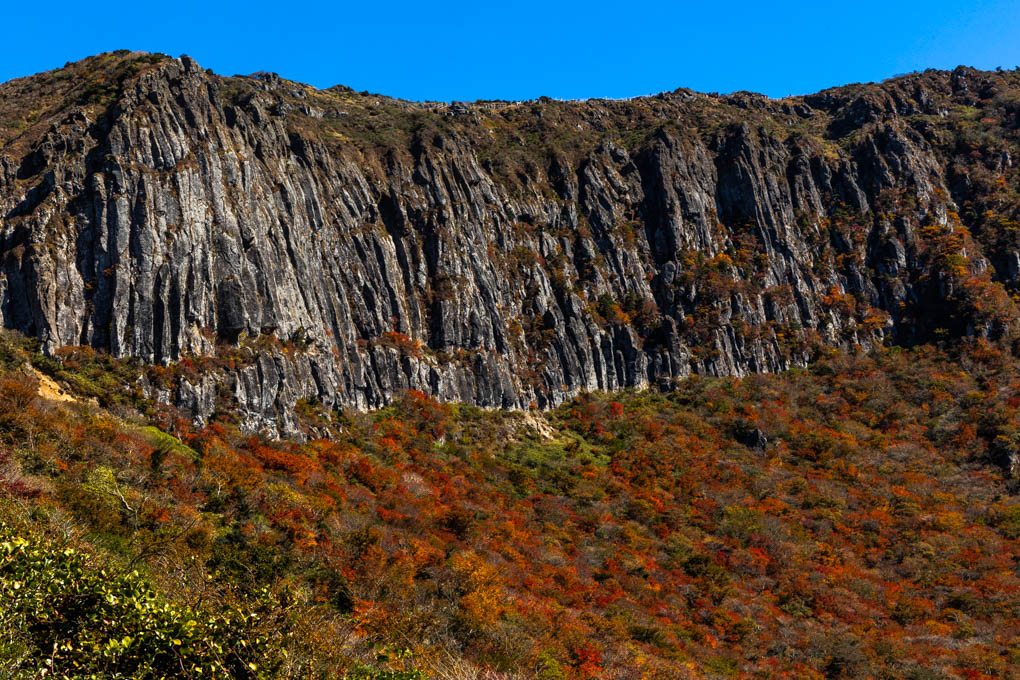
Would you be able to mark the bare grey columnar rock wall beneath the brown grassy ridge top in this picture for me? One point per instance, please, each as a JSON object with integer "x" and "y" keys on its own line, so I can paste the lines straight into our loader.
{"x": 178, "y": 221}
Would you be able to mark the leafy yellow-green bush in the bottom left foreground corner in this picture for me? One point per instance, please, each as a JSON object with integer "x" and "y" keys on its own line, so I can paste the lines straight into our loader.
{"x": 65, "y": 619}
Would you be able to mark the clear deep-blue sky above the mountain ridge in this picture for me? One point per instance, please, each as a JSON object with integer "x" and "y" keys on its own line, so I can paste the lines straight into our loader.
{"x": 496, "y": 50}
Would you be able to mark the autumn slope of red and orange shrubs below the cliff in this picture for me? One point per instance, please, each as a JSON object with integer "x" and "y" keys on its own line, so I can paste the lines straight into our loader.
{"x": 840, "y": 521}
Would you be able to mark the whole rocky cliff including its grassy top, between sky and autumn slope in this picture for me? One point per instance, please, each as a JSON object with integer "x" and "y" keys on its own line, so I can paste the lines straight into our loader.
{"x": 501, "y": 254}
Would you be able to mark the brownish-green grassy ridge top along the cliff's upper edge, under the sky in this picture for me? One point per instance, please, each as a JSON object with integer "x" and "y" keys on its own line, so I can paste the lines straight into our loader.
{"x": 542, "y": 127}
